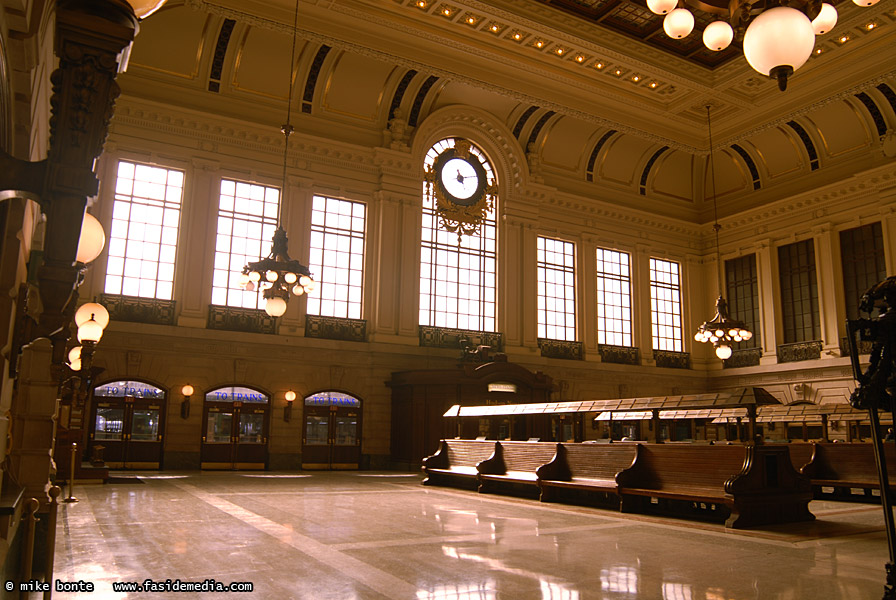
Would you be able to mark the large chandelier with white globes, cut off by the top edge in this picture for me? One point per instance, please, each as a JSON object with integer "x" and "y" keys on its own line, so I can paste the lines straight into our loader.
{"x": 778, "y": 37}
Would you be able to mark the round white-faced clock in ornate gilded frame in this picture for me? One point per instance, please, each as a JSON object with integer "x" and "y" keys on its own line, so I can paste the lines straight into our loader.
{"x": 458, "y": 185}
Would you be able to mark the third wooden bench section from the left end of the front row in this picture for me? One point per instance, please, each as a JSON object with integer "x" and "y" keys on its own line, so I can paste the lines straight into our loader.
{"x": 590, "y": 468}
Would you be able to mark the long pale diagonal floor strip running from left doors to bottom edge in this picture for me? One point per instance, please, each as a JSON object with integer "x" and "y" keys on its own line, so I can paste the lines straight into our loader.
{"x": 364, "y": 573}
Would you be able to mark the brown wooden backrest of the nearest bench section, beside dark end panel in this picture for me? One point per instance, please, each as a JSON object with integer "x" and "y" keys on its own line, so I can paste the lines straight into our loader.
{"x": 663, "y": 465}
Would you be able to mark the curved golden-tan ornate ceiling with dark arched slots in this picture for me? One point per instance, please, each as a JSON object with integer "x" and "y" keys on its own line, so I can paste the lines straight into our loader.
{"x": 590, "y": 89}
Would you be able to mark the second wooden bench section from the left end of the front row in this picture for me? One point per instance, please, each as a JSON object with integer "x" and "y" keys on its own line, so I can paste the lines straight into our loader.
{"x": 514, "y": 466}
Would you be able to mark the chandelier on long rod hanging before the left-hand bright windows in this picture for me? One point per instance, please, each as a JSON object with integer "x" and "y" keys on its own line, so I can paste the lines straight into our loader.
{"x": 278, "y": 276}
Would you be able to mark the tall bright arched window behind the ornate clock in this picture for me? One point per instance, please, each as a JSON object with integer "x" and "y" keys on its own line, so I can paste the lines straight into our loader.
{"x": 457, "y": 273}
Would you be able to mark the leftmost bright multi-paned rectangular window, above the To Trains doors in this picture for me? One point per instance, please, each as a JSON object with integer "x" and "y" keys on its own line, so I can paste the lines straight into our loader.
{"x": 143, "y": 238}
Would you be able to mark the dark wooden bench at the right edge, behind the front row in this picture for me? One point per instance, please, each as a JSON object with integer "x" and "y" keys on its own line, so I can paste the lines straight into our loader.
{"x": 848, "y": 470}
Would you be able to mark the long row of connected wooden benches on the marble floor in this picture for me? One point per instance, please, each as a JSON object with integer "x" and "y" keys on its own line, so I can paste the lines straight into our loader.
{"x": 747, "y": 485}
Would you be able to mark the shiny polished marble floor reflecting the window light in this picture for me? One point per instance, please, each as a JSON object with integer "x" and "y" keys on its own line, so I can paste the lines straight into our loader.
{"x": 372, "y": 535}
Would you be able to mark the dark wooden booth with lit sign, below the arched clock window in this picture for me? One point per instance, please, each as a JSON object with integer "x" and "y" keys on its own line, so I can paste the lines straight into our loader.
{"x": 420, "y": 399}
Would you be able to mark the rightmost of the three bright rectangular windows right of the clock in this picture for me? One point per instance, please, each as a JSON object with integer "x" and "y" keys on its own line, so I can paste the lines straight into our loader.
{"x": 665, "y": 304}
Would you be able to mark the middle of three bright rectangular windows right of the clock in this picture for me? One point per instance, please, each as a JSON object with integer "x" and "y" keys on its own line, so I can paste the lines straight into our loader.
{"x": 614, "y": 298}
